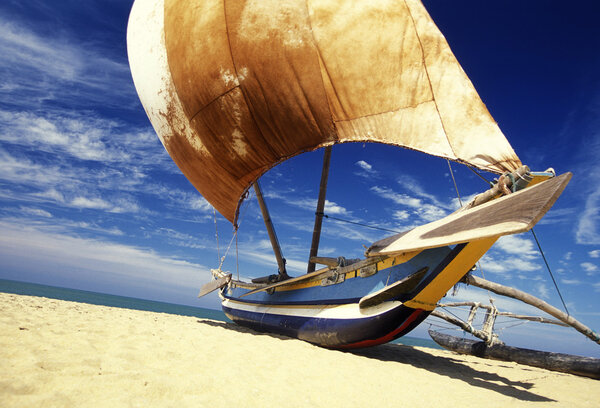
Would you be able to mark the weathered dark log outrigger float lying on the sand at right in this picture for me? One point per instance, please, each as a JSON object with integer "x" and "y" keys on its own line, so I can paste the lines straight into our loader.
{"x": 565, "y": 363}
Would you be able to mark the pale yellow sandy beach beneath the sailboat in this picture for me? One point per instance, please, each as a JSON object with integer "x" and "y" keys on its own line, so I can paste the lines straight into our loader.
{"x": 59, "y": 354}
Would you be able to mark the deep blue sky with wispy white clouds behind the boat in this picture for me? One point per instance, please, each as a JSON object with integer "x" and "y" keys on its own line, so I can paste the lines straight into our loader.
{"x": 90, "y": 200}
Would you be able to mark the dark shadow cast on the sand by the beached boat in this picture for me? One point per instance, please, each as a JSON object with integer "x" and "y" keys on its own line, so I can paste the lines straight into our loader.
{"x": 446, "y": 366}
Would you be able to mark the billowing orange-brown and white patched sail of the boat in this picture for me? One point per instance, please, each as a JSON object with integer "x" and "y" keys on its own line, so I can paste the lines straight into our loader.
{"x": 235, "y": 87}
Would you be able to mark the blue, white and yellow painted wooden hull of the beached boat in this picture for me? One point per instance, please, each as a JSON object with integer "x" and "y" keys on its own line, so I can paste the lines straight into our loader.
{"x": 353, "y": 309}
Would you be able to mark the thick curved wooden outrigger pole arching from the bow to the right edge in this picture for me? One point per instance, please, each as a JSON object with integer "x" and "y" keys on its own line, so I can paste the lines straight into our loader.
{"x": 533, "y": 301}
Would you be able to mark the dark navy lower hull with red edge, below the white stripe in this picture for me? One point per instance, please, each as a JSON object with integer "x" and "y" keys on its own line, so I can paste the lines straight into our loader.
{"x": 339, "y": 333}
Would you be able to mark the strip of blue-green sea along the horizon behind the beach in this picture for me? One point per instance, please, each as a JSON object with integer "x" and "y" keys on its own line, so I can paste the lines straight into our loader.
{"x": 104, "y": 299}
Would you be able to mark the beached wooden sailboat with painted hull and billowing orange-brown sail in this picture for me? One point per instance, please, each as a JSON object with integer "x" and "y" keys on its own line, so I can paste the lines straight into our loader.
{"x": 234, "y": 88}
